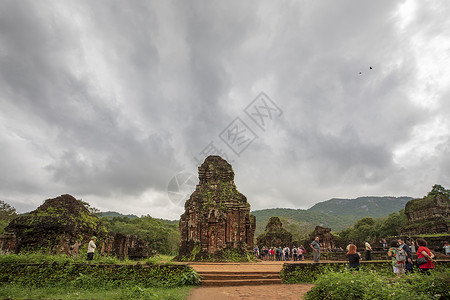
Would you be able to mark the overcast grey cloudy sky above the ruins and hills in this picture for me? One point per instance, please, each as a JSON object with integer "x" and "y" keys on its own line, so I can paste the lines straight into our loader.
{"x": 117, "y": 102}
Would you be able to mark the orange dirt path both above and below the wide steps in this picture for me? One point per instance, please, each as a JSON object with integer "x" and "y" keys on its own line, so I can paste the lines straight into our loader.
{"x": 275, "y": 291}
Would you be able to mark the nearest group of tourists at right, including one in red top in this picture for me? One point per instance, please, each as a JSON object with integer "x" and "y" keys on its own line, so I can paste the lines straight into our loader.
{"x": 400, "y": 253}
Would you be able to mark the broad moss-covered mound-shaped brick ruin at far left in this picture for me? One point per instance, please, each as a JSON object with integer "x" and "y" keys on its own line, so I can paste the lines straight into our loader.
{"x": 64, "y": 225}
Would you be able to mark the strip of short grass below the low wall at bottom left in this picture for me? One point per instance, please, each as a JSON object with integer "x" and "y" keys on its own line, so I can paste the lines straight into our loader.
{"x": 14, "y": 291}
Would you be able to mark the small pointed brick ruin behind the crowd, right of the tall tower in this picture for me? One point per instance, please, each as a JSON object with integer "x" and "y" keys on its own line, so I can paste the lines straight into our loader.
{"x": 275, "y": 235}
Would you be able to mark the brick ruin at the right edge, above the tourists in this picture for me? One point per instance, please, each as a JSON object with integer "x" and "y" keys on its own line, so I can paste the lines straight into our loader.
{"x": 428, "y": 215}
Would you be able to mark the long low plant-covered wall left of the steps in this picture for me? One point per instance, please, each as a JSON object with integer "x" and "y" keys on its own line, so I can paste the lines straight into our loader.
{"x": 57, "y": 273}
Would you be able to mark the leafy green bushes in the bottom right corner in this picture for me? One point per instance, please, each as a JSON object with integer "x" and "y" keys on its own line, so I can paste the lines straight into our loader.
{"x": 375, "y": 285}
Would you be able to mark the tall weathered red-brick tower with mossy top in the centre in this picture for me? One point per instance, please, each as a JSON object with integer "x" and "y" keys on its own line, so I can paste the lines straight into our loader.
{"x": 217, "y": 216}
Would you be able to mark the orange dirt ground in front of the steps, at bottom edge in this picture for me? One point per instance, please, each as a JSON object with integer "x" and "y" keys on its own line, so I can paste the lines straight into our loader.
{"x": 275, "y": 291}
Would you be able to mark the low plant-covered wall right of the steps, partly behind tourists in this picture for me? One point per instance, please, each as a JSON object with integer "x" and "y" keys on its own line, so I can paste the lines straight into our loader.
{"x": 308, "y": 272}
